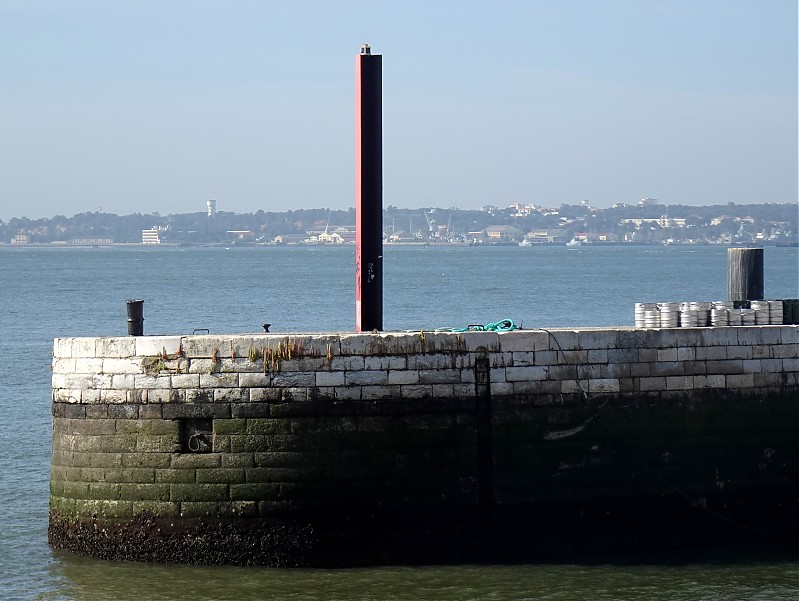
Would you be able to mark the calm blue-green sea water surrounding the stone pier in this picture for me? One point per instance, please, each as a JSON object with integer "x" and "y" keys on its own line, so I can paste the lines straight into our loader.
{"x": 46, "y": 293}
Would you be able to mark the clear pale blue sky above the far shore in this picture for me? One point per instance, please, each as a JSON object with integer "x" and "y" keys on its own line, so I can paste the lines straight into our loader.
{"x": 160, "y": 105}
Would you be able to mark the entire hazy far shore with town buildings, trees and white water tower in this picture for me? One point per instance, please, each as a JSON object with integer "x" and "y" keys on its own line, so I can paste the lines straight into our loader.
{"x": 645, "y": 222}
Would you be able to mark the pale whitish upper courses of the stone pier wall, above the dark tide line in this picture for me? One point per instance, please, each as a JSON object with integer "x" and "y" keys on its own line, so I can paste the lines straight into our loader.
{"x": 418, "y": 365}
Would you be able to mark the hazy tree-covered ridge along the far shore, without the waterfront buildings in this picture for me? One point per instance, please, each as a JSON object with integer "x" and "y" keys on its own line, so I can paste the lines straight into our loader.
{"x": 198, "y": 228}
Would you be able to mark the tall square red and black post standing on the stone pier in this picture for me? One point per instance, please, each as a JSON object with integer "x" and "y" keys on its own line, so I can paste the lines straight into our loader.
{"x": 368, "y": 191}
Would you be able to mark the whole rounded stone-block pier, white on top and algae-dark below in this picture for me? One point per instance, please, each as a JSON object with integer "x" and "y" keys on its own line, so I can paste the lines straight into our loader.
{"x": 345, "y": 449}
